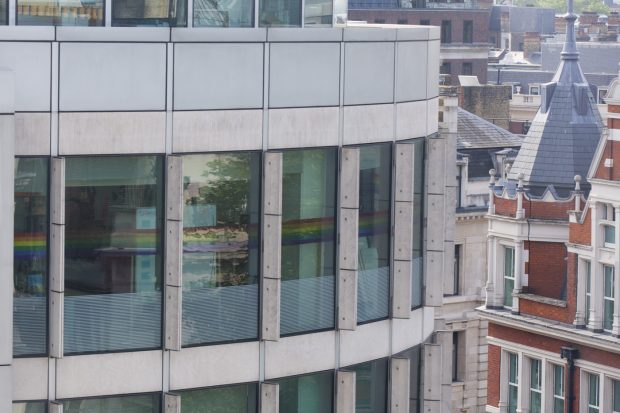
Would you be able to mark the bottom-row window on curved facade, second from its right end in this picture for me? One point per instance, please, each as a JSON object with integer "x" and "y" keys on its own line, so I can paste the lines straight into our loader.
{"x": 371, "y": 386}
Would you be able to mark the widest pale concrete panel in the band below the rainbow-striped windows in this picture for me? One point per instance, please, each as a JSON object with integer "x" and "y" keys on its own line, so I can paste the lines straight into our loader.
{"x": 104, "y": 374}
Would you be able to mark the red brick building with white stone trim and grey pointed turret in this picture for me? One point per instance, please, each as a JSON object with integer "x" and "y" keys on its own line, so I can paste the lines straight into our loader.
{"x": 553, "y": 254}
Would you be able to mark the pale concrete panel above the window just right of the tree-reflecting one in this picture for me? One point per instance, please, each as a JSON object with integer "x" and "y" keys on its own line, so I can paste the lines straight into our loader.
{"x": 303, "y": 127}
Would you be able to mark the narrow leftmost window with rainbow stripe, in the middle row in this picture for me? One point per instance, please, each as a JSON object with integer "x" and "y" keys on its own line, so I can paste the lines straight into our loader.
{"x": 30, "y": 256}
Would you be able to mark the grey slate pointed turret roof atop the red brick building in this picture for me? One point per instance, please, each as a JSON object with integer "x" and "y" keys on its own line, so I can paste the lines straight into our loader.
{"x": 565, "y": 132}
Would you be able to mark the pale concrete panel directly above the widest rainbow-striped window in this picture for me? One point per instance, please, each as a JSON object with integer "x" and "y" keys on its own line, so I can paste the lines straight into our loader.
{"x": 112, "y": 132}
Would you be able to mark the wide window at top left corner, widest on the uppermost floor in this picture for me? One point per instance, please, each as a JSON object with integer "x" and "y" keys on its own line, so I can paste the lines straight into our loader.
{"x": 60, "y": 13}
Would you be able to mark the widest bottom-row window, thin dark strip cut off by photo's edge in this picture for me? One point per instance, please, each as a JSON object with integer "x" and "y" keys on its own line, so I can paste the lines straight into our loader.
{"x": 144, "y": 403}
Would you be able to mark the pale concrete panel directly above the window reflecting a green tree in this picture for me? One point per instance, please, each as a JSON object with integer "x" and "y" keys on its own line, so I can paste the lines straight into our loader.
{"x": 222, "y": 130}
